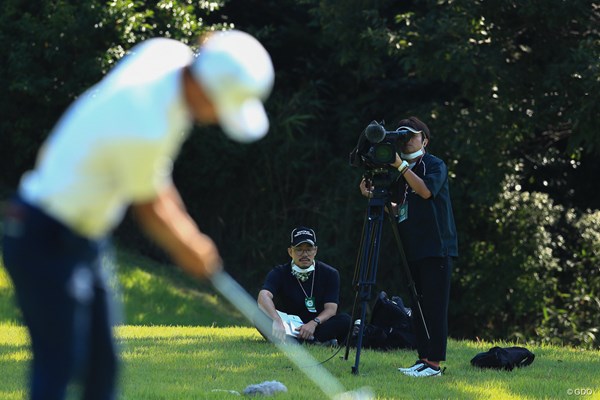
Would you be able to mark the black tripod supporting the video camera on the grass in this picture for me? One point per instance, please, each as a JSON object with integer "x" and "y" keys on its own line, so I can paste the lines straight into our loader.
{"x": 367, "y": 261}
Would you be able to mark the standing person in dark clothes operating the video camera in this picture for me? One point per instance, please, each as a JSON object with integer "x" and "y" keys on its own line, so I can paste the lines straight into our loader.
{"x": 423, "y": 211}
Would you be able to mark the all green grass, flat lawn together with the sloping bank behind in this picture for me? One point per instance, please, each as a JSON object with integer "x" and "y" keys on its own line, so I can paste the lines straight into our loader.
{"x": 181, "y": 341}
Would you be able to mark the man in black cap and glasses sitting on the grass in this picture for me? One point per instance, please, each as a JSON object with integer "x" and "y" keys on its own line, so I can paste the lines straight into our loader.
{"x": 306, "y": 288}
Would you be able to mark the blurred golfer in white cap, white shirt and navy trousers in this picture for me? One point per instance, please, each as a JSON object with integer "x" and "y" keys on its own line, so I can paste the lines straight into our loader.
{"x": 114, "y": 148}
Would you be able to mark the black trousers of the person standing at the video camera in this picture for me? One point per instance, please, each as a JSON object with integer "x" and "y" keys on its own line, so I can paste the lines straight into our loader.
{"x": 432, "y": 281}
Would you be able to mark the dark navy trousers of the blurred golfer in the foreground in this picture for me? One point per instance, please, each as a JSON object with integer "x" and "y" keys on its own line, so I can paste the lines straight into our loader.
{"x": 65, "y": 302}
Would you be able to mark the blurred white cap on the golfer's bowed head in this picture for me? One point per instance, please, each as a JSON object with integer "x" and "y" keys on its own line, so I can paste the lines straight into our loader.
{"x": 236, "y": 73}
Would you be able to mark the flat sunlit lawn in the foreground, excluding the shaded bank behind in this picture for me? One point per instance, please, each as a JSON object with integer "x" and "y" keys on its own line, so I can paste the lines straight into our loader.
{"x": 185, "y": 362}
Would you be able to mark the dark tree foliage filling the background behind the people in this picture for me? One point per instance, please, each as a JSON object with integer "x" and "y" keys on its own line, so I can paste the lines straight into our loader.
{"x": 509, "y": 89}
